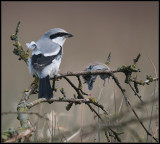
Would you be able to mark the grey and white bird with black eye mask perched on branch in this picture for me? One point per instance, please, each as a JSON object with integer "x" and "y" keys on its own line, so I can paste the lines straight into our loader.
{"x": 46, "y": 58}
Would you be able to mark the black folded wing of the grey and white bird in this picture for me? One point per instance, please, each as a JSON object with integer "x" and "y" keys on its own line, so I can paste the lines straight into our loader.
{"x": 40, "y": 61}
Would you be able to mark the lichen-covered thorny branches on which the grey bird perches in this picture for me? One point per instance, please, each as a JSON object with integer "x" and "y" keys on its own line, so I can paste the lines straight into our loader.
{"x": 24, "y": 106}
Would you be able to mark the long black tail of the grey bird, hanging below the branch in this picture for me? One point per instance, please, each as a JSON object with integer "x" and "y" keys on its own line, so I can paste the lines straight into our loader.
{"x": 45, "y": 90}
